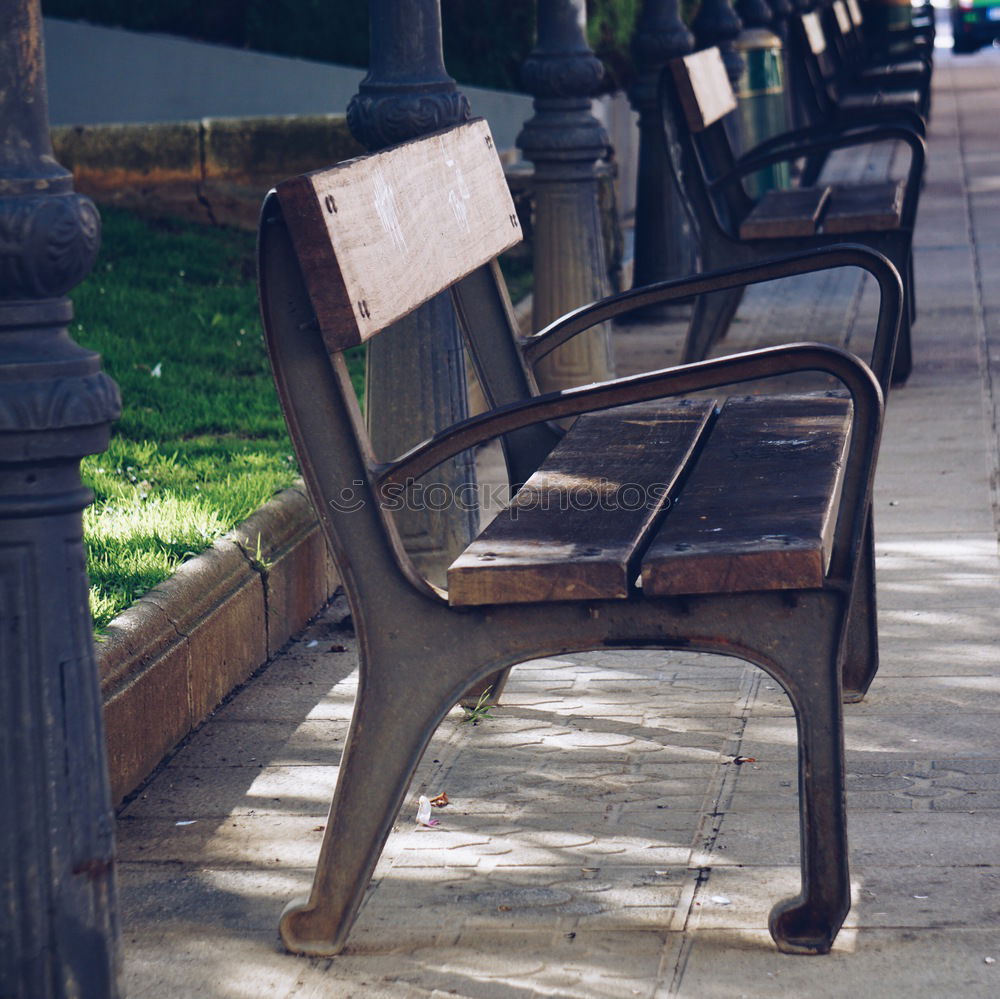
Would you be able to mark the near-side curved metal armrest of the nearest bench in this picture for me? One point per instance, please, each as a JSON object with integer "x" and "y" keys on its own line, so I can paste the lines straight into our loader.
{"x": 855, "y": 375}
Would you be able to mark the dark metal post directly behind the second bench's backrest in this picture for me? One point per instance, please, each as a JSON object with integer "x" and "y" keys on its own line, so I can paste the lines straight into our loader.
{"x": 663, "y": 238}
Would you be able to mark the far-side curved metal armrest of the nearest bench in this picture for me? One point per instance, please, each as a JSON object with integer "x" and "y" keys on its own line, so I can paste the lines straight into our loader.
{"x": 825, "y": 258}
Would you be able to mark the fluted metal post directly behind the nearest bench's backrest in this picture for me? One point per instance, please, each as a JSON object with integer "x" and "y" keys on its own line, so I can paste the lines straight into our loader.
{"x": 416, "y": 371}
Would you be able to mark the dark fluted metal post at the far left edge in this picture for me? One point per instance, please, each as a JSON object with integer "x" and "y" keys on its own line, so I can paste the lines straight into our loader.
{"x": 58, "y": 932}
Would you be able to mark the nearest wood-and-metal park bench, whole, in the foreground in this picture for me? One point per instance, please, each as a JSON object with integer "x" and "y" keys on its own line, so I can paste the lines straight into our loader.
{"x": 739, "y": 527}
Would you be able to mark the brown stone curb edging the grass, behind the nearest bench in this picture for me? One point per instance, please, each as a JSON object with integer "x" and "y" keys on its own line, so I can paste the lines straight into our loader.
{"x": 167, "y": 661}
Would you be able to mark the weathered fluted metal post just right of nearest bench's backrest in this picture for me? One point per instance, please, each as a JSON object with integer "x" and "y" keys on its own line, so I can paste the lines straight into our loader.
{"x": 564, "y": 141}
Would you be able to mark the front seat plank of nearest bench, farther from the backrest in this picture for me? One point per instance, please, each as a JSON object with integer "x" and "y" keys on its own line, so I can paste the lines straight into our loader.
{"x": 757, "y": 512}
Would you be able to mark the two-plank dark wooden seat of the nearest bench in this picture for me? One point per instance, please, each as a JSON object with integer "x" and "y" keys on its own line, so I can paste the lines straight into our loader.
{"x": 694, "y": 499}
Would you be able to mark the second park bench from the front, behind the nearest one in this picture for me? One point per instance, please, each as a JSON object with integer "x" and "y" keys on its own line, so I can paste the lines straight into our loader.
{"x": 733, "y": 229}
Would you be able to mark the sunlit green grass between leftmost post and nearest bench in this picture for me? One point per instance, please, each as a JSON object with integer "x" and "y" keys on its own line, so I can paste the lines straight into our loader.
{"x": 172, "y": 308}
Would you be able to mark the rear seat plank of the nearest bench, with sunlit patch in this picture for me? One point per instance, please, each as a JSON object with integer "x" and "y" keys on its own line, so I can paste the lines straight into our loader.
{"x": 574, "y": 531}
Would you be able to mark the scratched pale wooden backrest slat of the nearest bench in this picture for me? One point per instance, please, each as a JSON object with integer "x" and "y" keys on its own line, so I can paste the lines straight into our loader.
{"x": 379, "y": 235}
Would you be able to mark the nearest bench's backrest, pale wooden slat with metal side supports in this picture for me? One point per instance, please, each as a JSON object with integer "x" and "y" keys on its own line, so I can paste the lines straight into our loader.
{"x": 345, "y": 252}
